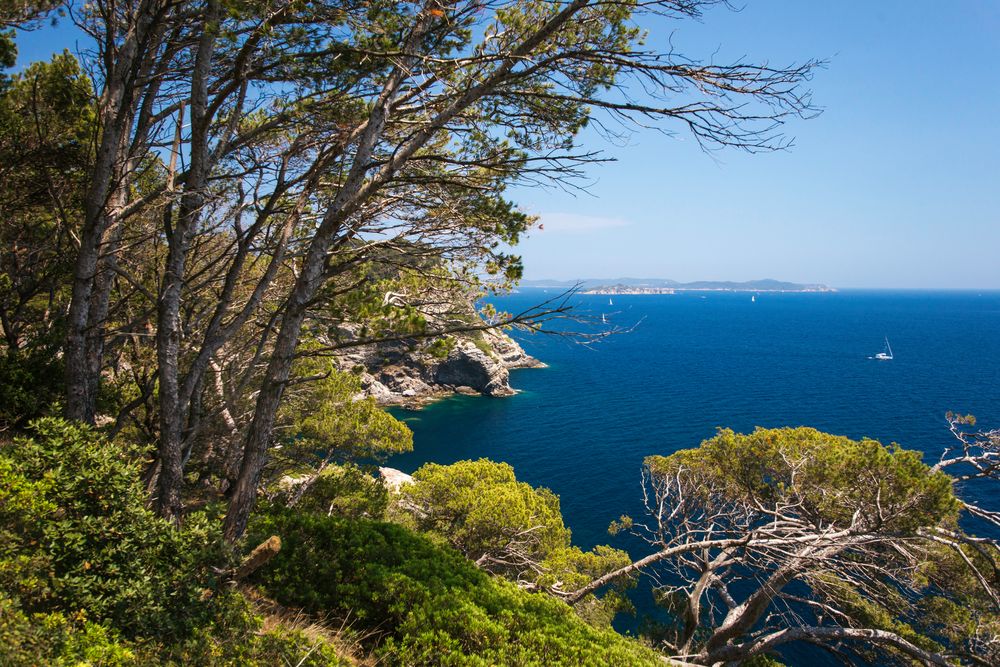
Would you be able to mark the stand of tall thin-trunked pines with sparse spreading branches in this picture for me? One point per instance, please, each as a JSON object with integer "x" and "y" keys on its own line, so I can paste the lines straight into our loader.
{"x": 232, "y": 180}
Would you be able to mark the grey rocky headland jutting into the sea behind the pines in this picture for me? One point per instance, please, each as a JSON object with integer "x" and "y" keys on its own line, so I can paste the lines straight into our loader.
{"x": 403, "y": 374}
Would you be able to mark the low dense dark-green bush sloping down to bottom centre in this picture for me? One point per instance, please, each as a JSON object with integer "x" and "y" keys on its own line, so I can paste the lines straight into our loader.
{"x": 426, "y": 604}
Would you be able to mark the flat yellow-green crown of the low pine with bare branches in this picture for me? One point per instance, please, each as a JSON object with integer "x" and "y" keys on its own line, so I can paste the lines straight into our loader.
{"x": 830, "y": 477}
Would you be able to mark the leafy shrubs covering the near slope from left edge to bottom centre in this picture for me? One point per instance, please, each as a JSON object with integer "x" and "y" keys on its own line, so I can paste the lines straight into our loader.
{"x": 89, "y": 575}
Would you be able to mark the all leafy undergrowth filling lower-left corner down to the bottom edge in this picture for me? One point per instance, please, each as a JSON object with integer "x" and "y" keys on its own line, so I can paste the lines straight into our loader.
{"x": 89, "y": 576}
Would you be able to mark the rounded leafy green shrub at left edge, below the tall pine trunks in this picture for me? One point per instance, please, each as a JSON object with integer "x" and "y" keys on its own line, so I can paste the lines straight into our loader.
{"x": 76, "y": 537}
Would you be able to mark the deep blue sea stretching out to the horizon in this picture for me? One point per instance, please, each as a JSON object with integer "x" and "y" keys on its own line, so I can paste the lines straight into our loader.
{"x": 683, "y": 365}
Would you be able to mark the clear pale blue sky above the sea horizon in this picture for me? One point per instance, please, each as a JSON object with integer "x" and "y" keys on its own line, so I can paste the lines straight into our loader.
{"x": 896, "y": 184}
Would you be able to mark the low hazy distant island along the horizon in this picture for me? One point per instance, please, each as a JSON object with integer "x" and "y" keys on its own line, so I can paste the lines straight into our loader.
{"x": 664, "y": 286}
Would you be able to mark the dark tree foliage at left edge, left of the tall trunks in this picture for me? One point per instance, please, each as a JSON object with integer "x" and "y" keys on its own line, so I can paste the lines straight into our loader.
{"x": 46, "y": 125}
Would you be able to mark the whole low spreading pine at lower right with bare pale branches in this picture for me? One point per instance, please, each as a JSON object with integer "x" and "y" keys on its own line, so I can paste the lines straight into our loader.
{"x": 790, "y": 534}
